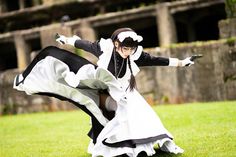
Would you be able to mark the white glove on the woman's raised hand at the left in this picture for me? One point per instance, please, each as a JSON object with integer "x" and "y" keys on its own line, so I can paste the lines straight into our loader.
{"x": 66, "y": 40}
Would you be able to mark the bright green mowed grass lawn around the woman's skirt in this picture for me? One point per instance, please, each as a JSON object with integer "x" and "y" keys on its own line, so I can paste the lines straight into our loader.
{"x": 201, "y": 129}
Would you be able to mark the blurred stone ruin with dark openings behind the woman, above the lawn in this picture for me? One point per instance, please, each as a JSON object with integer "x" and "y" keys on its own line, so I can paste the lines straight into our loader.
{"x": 170, "y": 28}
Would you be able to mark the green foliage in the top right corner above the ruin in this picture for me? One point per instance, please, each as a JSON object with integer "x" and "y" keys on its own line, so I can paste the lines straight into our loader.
{"x": 230, "y": 8}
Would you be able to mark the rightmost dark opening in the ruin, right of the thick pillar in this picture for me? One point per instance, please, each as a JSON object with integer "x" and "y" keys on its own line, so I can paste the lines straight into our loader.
{"x": 199, "y": 24}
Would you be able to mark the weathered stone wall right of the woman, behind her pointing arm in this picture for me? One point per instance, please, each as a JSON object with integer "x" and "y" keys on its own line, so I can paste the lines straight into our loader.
{"x": 211, "y": 78}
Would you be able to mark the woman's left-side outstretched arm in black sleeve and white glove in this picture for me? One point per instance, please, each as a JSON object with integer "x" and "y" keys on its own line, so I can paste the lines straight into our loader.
{"x": 92, "y": 47}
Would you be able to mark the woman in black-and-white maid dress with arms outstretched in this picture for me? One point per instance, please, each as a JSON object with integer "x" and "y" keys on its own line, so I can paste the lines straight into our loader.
{"x": 123, "y": 123}
